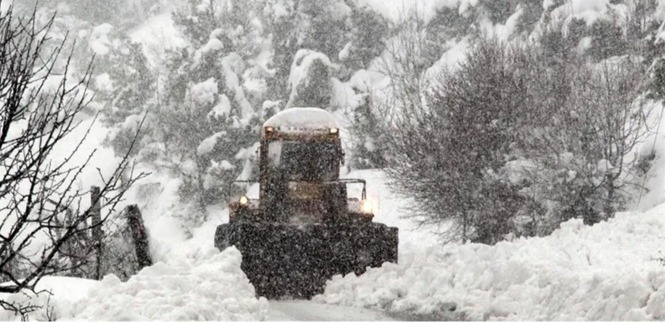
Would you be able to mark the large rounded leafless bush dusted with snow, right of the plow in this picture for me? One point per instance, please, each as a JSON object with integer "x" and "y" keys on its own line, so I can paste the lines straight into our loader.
{"x": 508, "y": 144}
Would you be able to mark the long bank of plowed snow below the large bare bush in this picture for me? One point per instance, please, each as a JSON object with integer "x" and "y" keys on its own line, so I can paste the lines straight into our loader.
{"x": 609, "y": 271}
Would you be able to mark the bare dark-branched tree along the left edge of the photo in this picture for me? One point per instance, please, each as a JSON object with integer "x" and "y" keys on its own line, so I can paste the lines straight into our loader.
{"x": 41, "y": 210}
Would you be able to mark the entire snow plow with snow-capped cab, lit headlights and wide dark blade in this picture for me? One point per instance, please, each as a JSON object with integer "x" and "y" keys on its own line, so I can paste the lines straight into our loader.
{"x": 304, "y": 228}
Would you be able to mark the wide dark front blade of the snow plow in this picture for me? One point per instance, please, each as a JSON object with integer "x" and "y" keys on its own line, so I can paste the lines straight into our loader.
{"x": 283, "y": 260}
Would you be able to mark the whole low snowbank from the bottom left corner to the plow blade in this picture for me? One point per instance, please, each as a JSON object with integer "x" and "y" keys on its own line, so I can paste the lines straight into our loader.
{"x": 214, "y": 288}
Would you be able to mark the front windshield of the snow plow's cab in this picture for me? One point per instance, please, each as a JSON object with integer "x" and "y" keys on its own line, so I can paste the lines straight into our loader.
{"x": 304, "y": 161}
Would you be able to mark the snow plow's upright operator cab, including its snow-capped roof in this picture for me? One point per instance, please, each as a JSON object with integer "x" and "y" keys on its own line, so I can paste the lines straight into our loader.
{"x": 300, "y": 163}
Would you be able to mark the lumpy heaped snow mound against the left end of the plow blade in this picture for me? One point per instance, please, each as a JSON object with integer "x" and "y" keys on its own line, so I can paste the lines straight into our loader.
{"x": 212, "y": 289}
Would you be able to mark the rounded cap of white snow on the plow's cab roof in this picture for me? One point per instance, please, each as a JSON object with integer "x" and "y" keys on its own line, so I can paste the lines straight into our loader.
{"x": 308, "y": 118}
